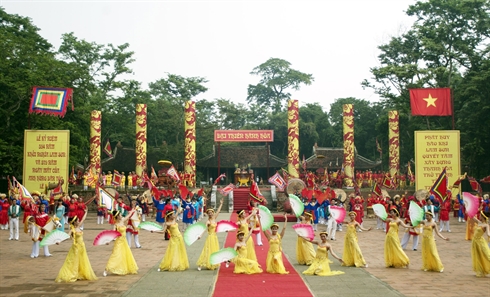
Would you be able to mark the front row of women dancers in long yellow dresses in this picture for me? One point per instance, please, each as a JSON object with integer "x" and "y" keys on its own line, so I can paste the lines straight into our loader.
{"x": 121, "y": 261}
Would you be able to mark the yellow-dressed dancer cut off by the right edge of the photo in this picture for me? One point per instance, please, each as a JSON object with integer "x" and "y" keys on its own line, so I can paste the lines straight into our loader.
{"x": 480, "y": 252}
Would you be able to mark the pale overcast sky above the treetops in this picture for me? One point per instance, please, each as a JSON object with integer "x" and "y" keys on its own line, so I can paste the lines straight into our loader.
{"x": 335, "y": 40}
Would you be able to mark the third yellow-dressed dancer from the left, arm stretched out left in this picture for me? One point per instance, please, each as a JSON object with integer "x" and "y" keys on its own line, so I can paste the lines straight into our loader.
{"x": 175, "y": 258}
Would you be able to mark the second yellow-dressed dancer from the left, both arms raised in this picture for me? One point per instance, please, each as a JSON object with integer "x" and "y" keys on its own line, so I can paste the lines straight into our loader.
{"x": 121, "y": 261}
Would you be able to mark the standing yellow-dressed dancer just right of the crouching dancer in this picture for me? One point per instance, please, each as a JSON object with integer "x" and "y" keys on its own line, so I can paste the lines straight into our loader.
{"x": 352, "y": 255}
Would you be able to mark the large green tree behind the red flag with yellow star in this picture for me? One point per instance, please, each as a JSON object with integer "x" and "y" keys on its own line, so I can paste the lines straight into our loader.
{"x": 447, "y": 43}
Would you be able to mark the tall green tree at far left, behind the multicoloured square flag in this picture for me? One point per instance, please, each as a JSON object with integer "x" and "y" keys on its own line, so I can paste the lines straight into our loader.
{"x": 26, "y": 60}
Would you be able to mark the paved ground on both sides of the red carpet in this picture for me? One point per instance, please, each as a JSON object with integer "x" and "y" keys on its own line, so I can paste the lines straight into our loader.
{"x": 22, "y": 276}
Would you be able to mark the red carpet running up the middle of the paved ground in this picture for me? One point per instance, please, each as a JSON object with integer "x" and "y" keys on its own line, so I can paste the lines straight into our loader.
{"x": 262, "y": 284}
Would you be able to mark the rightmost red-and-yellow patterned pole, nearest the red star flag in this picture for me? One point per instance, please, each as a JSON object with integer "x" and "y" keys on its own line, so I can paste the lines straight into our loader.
{"x": 394, "y": 142}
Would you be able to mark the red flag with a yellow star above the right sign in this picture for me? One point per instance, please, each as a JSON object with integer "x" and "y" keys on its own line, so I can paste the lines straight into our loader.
{"x": 431, "y": 102}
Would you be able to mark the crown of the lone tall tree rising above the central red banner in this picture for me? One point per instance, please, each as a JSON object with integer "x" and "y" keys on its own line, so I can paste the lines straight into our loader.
{"x": 277, "y": 79}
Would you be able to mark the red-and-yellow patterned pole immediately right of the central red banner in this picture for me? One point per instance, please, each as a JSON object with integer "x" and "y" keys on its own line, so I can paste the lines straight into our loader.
{"x": 293, "y": 138}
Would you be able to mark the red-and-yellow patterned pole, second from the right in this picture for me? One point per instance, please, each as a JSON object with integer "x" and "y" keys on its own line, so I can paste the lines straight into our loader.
{"x": 348, "y": 125}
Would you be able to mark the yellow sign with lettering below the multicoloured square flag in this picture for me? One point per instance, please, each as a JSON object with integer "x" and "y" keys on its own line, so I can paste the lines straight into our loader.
{"x": 46, "y": 158}
